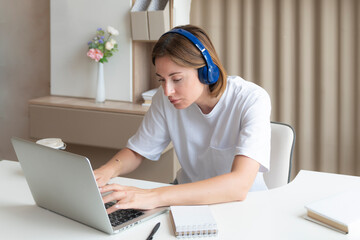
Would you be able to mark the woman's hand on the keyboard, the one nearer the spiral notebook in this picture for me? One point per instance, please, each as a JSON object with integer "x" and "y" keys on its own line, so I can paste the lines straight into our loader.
{"x": 128, "y": 197}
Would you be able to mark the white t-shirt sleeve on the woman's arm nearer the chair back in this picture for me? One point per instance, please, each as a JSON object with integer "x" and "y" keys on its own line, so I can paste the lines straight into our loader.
{"x": 255, "y": 130}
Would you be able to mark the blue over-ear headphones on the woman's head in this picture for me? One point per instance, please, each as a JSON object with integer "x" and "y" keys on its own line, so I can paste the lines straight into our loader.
{"x": 208, "y": 74}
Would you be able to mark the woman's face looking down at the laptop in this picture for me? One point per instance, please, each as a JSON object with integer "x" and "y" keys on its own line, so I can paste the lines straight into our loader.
{"x": 180, "y": 84}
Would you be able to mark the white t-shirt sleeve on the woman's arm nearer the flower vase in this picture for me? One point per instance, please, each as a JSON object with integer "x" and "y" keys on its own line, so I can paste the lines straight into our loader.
{"x": 152, "y": 137}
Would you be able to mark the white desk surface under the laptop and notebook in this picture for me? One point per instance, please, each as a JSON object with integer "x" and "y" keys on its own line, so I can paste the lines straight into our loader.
{"x": 275, "y": 214}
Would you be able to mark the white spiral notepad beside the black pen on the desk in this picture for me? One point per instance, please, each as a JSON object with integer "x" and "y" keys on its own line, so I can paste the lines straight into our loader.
{"x": 193, "y": 221}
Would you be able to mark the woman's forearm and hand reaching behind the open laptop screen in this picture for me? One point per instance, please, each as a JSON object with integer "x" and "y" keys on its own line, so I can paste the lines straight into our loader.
{"x": 125, "y": 161}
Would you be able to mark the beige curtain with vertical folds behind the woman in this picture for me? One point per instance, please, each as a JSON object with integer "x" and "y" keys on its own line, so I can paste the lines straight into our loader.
{"x": 306, "y": 54}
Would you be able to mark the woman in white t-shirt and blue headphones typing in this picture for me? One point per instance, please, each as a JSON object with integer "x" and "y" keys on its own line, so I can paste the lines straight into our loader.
{"x": 219, "y": 126}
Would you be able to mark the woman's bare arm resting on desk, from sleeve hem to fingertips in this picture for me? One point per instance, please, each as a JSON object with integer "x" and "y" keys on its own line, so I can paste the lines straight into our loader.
{"x": 232, "y": 186}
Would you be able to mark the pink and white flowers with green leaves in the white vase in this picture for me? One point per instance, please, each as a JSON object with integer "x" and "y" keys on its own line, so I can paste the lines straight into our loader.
{"x": 102, "y": 46}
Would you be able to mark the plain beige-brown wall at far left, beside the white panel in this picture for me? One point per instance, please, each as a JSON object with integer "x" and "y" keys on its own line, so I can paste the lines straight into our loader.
{"x": 24, "y": 65}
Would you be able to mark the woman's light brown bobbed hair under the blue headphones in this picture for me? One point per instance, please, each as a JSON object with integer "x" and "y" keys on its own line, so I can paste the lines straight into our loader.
{"x": 184, "y": 53}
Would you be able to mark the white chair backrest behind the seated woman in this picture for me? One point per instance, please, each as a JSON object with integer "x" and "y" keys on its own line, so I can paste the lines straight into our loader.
{"x": 282, "y": 147}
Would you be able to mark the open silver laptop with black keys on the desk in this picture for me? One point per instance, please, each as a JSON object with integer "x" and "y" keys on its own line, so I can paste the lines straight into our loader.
{"x": 64, "y": 183}
